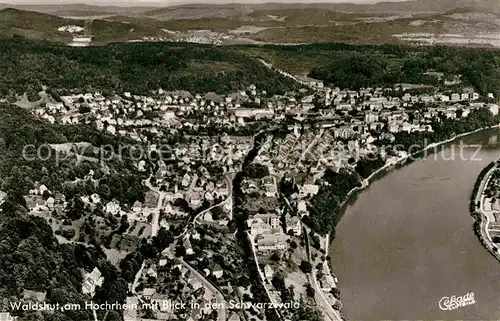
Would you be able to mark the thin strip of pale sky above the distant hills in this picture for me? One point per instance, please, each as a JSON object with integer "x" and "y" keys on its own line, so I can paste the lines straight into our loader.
{"x": 164, "y": 3}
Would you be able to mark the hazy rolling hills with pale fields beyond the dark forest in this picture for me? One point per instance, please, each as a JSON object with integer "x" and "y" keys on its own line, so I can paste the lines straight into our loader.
{"x": 262, "y": 23}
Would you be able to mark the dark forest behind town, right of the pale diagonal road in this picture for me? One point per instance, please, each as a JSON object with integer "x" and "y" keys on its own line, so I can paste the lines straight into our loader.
{"x": 356, "y": 66}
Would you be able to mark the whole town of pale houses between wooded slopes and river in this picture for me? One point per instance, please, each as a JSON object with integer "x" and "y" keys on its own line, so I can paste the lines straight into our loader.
{"x": 221, "y": 171}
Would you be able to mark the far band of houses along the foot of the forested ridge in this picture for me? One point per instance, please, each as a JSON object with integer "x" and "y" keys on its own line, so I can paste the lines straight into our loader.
{"x": 349, "y": 112}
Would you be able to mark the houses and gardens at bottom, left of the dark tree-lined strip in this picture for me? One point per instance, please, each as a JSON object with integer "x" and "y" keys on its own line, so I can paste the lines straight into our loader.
{"x": 189, "y": 287}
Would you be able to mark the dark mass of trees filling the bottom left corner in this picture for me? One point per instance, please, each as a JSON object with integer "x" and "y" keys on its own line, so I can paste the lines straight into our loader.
{"x": 32, "y": 259}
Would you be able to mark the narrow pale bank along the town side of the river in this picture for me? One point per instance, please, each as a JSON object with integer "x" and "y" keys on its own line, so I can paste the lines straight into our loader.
{"x": 400, "y": 161}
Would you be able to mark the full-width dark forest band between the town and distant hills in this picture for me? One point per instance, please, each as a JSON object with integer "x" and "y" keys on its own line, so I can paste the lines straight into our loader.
{"x": 141, "y": 67}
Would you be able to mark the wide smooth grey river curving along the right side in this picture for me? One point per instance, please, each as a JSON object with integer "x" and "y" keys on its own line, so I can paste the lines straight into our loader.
{"x": 407, "y": 241}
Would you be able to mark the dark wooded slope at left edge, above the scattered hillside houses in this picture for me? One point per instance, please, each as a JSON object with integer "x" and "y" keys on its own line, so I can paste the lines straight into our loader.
{"x": 19, "y": 128}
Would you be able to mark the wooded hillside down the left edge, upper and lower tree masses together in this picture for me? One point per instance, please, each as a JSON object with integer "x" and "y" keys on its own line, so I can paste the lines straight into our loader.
{"x": 30, "y": 256}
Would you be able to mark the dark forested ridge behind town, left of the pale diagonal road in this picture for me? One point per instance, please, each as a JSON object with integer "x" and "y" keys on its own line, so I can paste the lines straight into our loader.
{"x": 134, "y": 67}
